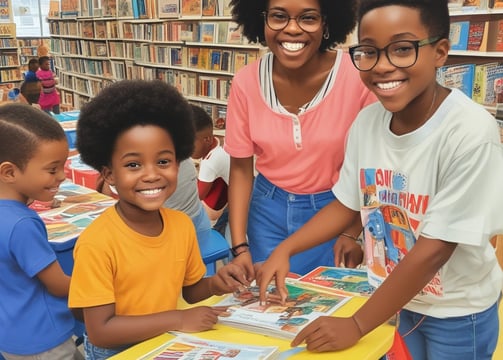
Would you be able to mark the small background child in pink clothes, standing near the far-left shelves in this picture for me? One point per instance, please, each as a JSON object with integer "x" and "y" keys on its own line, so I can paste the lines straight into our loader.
{"x": 49, "y": 97}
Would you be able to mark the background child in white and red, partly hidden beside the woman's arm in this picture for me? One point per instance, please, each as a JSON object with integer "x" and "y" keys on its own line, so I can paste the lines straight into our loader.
{"x": 213, "y": 178}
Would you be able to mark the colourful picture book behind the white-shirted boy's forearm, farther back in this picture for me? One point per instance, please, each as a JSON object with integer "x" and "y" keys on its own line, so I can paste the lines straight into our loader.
{"x": 345, "y": 281}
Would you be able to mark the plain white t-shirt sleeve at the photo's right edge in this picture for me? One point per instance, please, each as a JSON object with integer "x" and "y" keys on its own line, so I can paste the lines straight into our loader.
{"x": 470, "y": 183}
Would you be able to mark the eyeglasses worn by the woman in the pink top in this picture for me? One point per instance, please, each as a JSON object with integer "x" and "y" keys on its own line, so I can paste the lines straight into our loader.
{"x": 278, "y": 20}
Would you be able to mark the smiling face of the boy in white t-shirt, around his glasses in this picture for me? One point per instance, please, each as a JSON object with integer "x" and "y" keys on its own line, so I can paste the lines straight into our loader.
{"x": 408, "y": 90}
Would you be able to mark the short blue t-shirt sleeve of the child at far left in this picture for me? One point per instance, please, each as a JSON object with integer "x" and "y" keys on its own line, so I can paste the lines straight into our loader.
{"x": 30, "y": 246}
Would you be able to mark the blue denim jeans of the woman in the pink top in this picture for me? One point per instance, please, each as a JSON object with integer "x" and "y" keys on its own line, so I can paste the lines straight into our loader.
{"x": 275, "y": 214}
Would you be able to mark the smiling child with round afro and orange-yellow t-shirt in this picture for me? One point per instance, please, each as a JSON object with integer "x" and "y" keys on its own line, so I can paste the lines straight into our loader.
{"x": 136, "y": 259}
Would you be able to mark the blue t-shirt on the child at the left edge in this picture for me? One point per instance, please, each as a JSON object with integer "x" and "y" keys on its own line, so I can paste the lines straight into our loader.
{"x": 32, "y": 320}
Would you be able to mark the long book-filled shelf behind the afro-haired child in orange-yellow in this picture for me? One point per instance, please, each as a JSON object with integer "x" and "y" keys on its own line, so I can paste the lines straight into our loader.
{"x": 197, "y": 53}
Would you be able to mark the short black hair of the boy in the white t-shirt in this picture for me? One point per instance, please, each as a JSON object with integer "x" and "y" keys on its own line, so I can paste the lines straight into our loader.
{"x": 434, "y": 13}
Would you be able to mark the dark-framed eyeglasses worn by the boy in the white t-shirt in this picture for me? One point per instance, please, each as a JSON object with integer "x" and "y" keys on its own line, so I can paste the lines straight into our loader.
{"x": 401, "y": 53}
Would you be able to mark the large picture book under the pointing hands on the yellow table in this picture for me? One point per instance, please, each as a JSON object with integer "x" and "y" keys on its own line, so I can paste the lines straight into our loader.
{"x": 302, "y": 306}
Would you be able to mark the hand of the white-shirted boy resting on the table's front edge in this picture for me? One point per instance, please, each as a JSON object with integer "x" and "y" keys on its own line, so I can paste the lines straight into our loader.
{"x": 328, "y": 333}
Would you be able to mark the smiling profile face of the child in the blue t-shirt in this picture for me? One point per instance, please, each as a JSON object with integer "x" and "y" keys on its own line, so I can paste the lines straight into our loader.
{"x": 43, "y": 174}
